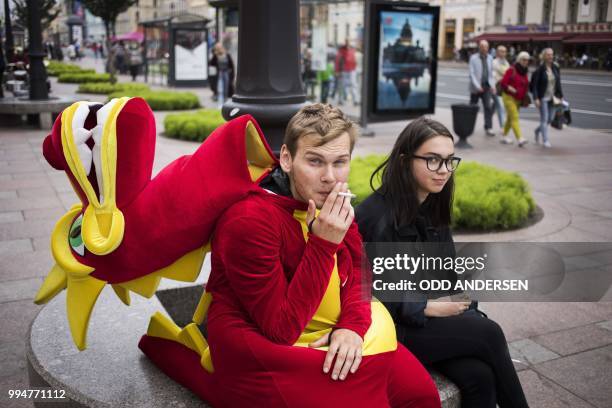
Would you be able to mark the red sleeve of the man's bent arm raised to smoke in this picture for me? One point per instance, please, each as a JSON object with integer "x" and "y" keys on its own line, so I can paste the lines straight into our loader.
{"x": 249, "y": 248}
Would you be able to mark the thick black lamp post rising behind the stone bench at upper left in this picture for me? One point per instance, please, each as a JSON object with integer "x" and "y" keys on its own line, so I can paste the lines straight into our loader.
{"x": 38, "y": 73}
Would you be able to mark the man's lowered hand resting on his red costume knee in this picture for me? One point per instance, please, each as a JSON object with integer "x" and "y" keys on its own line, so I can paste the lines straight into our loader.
{"x": 346, "y": 346}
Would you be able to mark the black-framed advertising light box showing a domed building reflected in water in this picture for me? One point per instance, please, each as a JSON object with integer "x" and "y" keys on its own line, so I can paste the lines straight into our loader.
{"x": 401, "y": 60}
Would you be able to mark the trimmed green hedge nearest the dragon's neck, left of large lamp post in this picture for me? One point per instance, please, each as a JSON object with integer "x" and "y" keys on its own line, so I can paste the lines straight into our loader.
{"x": 195, "y": 126}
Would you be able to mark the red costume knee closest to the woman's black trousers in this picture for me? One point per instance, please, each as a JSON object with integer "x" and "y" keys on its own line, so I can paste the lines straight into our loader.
{"x": 410, "y": 385}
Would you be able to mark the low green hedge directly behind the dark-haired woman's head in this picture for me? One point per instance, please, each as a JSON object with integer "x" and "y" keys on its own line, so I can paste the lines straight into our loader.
{"x": 486, "y": 198}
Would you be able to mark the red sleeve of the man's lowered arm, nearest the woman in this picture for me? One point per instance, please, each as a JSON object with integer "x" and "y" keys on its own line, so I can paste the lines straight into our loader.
{"x": 355, "y": 295}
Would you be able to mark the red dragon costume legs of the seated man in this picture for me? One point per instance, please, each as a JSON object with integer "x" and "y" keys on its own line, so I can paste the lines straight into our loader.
{"x": 258, "y": 370}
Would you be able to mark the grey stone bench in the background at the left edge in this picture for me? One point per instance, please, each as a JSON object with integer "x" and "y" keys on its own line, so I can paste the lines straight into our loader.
{"x": 43, "y": 109}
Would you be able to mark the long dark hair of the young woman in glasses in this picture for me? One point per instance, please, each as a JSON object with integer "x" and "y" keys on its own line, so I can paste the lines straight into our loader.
{"x": 397, "y": 181}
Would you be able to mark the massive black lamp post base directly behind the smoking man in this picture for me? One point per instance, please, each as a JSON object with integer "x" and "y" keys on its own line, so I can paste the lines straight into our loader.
{"x": 268, "y": 82}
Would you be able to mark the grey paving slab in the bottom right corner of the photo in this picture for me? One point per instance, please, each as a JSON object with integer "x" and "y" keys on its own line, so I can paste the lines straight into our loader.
{"x": 587, "y": 375}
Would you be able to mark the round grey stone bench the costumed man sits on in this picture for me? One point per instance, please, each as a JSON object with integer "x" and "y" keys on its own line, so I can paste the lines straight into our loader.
{"x": 113, "y": 371}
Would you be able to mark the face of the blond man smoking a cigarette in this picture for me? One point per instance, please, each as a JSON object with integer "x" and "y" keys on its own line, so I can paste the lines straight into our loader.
{"x": 314, "y": 170}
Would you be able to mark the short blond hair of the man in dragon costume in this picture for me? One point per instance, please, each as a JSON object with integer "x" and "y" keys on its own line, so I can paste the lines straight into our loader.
{"x": 321, "y": 120}
